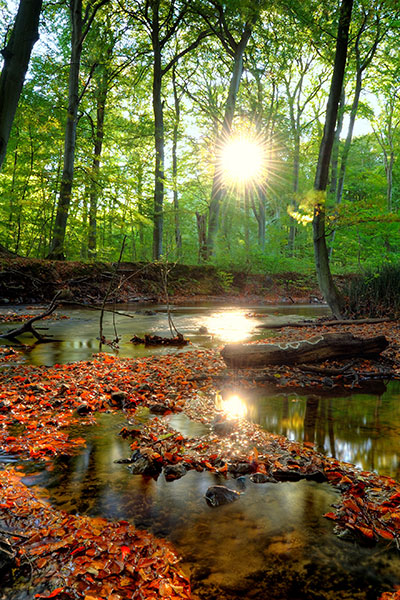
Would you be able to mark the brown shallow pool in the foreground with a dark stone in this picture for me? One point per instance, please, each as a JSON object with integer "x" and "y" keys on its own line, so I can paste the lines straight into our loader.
{"x": 272, "y": 543}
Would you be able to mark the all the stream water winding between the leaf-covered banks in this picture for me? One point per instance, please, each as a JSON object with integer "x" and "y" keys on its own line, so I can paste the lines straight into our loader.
{"x": 273, "y": 543}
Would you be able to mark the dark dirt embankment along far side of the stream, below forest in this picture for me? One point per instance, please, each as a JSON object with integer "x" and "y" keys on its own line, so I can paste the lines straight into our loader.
{"x": 31, "y": 280}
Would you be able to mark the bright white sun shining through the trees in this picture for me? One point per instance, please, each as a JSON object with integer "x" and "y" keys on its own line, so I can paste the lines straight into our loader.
{"x": 242, "y": 160}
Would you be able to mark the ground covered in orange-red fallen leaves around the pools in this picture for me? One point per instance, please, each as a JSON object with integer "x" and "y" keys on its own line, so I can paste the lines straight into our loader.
{"x": 85, "y": 558}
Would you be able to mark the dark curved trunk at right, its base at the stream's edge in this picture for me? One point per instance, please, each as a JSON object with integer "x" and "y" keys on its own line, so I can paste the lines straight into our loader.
{"x": 324, "y": 275}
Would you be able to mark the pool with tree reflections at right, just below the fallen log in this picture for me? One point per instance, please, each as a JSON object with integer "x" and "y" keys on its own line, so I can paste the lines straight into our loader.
{"x": 359, "y": 428}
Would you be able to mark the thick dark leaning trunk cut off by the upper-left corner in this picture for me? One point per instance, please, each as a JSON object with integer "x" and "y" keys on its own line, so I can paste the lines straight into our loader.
{"x": 16, "y": 55}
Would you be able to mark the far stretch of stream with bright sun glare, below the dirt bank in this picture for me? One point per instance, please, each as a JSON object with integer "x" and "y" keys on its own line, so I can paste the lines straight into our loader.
{"x": 76, "y": 338}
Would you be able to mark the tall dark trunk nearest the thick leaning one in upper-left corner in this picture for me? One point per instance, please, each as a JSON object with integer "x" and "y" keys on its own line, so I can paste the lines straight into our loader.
{"x": 64, "y": 200}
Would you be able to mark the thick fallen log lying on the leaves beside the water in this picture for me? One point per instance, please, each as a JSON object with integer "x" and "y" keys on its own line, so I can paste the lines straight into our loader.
{"x": 317, "y": 348}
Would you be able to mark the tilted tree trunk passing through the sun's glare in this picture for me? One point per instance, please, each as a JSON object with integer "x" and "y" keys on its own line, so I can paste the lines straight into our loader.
{"x": 217, "y": 192}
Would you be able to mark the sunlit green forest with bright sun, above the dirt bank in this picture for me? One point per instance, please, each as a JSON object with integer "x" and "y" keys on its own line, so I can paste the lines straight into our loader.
{"x": 192, "y": 130}
